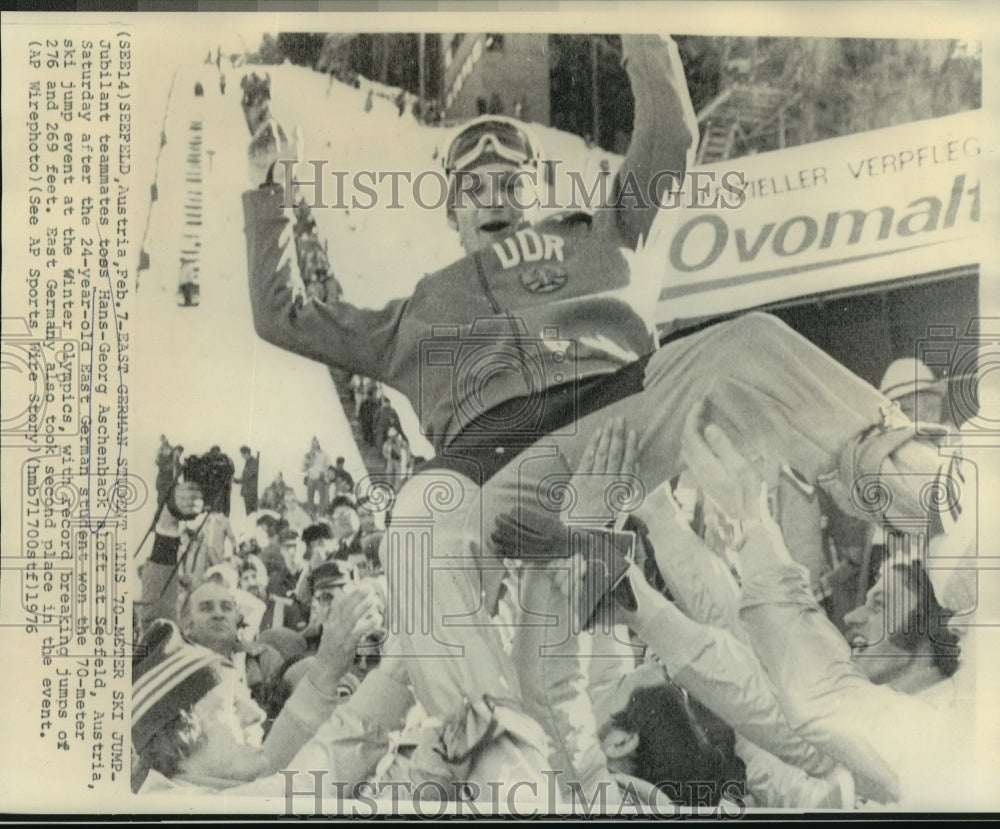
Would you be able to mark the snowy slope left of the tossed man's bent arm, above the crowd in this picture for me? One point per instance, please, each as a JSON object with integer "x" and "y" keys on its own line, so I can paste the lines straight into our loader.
{"x": 201, "y": 376}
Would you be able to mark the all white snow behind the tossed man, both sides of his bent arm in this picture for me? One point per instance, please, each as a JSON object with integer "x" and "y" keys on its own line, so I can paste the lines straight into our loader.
{"x": 200, "y": 375}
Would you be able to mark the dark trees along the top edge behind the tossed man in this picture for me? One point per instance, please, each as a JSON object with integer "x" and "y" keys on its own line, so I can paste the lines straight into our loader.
{"x": 834, "y": 86}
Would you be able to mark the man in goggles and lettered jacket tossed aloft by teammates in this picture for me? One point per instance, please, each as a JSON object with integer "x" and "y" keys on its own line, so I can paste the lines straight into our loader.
{"x": 518, "y": 350}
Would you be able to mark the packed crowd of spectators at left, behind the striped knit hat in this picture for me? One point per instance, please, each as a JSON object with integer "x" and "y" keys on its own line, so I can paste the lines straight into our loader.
{"x": 260, "y": 603}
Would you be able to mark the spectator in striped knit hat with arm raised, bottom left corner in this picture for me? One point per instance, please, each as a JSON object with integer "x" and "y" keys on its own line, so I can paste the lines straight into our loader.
{"x": 196, "y": 730}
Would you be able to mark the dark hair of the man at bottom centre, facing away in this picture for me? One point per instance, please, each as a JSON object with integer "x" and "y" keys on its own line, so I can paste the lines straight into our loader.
{"x": 684, "y": 750}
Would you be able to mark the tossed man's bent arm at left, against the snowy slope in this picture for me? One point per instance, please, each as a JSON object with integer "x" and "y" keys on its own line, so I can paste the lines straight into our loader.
{"x": 336, "y": 333}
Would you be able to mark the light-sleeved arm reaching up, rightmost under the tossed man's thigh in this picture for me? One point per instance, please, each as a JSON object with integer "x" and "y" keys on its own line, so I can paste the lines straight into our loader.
{"x": 829, "y": 702}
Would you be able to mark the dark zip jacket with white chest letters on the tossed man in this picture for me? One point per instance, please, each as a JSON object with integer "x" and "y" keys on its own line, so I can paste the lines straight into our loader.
{"x": 557, "y": 296}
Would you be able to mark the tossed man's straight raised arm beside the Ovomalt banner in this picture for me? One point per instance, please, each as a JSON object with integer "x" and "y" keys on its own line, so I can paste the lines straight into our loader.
{"x": 664, "y": 133}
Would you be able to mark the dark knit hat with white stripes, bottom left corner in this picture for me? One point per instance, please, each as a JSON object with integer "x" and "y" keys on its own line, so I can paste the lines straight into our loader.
{"x": 168, "y": 675}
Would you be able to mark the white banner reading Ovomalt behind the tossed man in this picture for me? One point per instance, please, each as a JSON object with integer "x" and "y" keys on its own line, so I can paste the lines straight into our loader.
{"x": 835, "y": 214}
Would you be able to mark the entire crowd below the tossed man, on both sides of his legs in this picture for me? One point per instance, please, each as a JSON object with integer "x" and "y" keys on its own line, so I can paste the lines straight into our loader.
{"x": 739, "y": 686}
